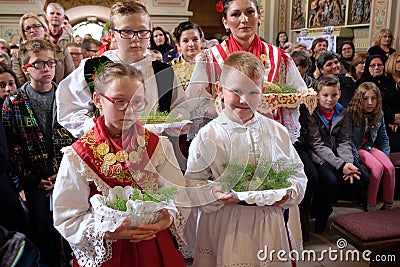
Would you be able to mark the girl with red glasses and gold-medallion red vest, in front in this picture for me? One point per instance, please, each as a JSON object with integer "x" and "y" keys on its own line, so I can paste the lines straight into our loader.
{"x": 86, "y": 170}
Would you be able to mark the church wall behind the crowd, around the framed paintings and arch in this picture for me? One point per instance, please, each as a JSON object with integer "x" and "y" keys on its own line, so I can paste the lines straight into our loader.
{"x": 277, "y": 15}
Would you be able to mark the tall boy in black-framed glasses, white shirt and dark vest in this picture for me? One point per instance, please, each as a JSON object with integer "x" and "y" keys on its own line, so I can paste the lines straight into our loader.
{"x": 130, "y": 27}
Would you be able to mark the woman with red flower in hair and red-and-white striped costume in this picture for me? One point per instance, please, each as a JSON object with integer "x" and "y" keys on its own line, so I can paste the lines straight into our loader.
{"x": 241, "y": 19}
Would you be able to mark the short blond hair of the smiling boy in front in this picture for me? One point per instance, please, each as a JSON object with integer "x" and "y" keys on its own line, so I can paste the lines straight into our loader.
{"x": 245, "y": 63}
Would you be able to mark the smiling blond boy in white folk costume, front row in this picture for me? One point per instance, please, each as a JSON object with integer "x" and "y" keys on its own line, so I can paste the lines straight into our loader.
{"x": 252, "y": 219}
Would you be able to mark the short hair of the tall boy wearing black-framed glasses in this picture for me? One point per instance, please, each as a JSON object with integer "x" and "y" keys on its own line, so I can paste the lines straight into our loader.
{"x": 127, "y": 7}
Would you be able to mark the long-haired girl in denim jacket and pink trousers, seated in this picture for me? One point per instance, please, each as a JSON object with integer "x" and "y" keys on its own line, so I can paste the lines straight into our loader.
{"x": 371, "y": 143}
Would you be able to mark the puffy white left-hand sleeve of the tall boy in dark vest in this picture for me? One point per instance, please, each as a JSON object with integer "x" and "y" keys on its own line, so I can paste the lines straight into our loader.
{"x": 75, "y": 105}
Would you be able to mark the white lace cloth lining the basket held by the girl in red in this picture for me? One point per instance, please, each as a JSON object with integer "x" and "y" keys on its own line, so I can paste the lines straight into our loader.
{"x": 138, "y": 211}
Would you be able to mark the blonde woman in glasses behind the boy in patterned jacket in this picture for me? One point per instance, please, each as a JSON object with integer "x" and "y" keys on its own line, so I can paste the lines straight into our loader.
{"x": 33, "y": 27}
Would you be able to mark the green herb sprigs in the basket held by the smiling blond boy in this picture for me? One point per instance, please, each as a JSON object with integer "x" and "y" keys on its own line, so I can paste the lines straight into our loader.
{"x": 250, "y": 177}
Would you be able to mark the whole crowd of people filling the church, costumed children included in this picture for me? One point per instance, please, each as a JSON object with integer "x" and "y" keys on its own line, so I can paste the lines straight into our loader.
{"x": 71, "y": 129}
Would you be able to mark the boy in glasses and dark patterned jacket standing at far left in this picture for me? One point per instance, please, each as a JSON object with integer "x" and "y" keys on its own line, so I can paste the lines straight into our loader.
{"x": 34, "y": 141}
